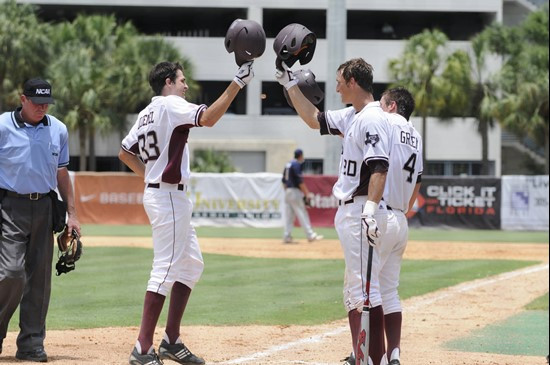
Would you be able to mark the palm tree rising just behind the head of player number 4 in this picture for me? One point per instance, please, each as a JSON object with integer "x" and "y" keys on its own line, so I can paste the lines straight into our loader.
{"x": 417, "y": 71}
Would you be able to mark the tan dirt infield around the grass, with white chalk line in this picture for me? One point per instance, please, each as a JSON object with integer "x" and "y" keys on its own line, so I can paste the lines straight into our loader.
{"x": 429, "y": 320}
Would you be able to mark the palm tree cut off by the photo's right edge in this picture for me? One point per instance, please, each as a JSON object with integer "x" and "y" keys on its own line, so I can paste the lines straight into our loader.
{"x": 523, "y": 79}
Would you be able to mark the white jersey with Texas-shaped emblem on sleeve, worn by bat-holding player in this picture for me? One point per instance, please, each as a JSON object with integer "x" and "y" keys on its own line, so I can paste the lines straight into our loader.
{"x": 366, "y": 135}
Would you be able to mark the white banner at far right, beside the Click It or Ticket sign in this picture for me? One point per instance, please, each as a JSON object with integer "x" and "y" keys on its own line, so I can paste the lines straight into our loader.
{"x": 525, "y": 202}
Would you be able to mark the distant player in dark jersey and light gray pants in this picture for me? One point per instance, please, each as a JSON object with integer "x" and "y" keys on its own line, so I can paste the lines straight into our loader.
{"x": 296, "y": 194}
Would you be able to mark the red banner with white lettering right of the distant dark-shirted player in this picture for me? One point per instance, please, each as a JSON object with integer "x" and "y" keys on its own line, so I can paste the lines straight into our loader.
{"x": 323, "y": 203}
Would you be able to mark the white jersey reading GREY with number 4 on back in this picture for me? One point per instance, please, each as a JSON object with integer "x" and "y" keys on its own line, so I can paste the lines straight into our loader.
{"x": 406, "y": 163}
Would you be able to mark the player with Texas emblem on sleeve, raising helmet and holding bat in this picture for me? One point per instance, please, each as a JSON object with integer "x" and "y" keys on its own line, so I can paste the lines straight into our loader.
{"x": 365, "y": 130}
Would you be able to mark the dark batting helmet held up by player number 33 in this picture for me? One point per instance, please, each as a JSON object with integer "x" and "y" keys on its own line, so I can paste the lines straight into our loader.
{"x": 246, "y": 38}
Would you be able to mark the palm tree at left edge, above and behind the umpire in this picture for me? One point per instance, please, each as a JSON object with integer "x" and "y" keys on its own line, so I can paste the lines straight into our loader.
{"x": 25, "y": 50}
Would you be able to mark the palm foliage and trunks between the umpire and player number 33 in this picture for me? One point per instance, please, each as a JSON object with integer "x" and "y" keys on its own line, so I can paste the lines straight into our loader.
{"x": 85, "y": 50}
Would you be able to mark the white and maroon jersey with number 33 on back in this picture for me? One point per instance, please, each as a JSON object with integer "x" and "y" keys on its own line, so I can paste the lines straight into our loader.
{"x": 160, "y": 136}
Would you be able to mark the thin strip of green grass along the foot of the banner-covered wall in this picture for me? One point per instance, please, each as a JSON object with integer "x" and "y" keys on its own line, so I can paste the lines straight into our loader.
{"x": 424, "y": 234}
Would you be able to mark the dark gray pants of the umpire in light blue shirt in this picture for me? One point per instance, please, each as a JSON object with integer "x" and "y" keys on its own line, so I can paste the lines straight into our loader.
{"x": 26, "y": 250}
